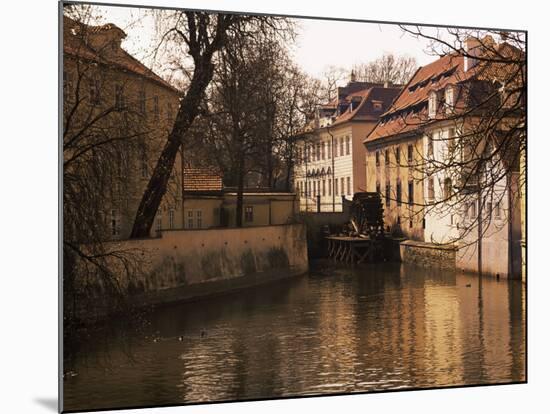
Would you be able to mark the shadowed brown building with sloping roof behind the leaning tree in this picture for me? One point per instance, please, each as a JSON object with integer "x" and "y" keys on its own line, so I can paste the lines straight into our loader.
{"x": 113, "y": 103}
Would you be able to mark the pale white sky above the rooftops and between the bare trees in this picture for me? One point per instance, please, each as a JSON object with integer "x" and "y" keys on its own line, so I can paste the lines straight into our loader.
{"x": 319, "y": 44}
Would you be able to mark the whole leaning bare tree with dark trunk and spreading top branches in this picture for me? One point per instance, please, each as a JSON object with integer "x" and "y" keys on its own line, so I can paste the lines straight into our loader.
{"x": 200, "y": 36}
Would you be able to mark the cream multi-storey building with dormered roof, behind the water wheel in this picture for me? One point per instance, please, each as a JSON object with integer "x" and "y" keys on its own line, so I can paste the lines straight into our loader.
{"x": 331, "y": 157}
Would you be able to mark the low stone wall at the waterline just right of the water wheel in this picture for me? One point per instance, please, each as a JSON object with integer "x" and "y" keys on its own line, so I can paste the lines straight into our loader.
{"x": 427, "y": 254}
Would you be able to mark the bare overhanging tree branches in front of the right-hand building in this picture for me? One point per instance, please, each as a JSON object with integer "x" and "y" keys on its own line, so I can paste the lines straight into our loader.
{"x": 478, "y": 95}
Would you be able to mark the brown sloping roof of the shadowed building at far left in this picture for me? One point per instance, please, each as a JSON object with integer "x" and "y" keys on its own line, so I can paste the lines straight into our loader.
{"x": 77, "y": 45}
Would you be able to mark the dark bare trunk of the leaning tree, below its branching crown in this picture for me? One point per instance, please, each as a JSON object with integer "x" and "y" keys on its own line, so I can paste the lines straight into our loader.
{"x": 156, "y": 188}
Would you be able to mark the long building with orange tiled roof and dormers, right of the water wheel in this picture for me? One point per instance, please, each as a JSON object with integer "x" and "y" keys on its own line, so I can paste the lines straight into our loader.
{"x": 428, "y": 158}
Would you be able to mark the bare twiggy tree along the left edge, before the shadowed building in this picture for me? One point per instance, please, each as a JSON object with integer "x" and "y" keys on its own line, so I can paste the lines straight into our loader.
{"x": 102, "y": 133}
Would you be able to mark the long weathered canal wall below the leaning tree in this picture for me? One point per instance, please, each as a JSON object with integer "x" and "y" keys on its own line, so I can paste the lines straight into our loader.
{"x": 187, "y": 264}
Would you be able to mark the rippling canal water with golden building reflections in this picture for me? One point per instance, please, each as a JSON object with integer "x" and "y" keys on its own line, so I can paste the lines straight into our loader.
{"x": 335, "y": 330}
